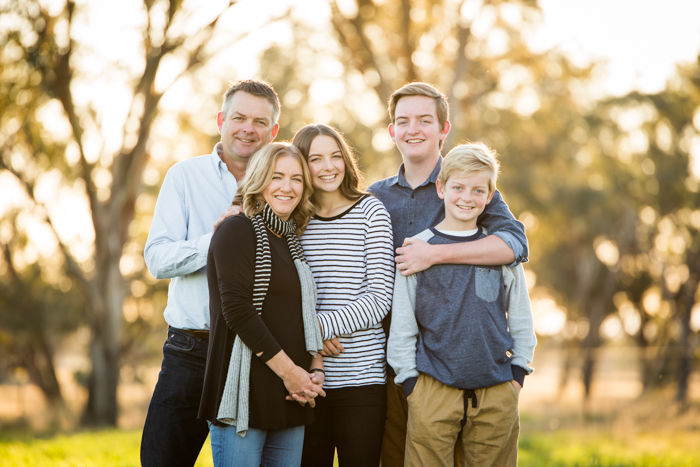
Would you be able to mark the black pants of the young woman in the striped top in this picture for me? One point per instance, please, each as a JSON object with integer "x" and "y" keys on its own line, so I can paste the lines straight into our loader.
{"x": 350, "y": 419}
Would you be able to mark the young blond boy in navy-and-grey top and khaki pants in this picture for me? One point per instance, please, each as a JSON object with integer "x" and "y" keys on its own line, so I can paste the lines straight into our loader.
{"x": 462, "y": 336}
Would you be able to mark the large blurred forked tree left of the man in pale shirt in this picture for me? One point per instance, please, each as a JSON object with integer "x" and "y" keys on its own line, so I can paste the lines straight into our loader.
{"x": 43, "y": 63}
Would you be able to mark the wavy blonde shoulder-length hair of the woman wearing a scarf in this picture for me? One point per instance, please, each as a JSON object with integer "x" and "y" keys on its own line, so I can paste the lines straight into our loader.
{"x": 259, "y": 175}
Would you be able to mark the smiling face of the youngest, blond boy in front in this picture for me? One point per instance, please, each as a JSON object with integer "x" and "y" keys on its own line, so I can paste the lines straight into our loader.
{"x": 466, "y": 194}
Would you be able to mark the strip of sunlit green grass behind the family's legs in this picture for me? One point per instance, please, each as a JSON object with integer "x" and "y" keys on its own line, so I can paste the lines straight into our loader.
{"x": 562, "y": 448}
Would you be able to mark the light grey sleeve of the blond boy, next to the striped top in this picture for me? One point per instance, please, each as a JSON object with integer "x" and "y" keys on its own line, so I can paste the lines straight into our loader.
{"x": 401, "y": 349}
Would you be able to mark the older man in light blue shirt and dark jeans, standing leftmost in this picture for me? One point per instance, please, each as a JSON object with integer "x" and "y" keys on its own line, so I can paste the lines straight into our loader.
{"x": 193, "y": 197}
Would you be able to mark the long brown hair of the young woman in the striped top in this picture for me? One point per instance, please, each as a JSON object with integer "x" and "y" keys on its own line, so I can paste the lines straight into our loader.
{"x": 353, "y": 179}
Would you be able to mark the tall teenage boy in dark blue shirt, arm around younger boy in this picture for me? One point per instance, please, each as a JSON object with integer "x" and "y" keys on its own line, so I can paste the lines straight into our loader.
{"x": 419, "y": 116}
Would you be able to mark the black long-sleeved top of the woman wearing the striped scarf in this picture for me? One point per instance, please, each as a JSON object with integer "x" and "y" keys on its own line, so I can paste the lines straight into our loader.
{"x": 230, "y": 274}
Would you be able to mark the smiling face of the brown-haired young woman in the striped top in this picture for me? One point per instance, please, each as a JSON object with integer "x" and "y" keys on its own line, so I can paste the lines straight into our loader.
{"x": 326, "y": 164}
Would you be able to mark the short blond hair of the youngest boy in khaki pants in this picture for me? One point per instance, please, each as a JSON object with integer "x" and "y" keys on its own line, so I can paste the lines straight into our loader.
{"x": 470, "y": 157}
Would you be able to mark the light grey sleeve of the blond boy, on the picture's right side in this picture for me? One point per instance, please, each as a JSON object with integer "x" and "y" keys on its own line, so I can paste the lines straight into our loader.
{"x": 520, "y": 324}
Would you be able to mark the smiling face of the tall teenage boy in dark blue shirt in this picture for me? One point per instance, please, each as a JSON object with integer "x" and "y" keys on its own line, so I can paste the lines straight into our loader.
{"x": 416, "y": 130}
